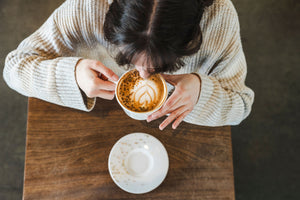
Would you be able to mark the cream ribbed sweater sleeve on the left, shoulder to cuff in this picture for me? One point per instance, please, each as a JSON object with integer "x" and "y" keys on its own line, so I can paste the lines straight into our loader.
{"x": 42, "y": 65}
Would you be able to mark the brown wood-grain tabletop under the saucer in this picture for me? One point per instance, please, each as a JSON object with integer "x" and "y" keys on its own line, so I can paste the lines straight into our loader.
{"x": 67, "y": 155}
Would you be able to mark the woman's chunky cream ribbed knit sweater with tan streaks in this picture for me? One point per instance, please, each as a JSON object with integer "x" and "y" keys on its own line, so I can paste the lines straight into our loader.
{"x": 43, "y": 65}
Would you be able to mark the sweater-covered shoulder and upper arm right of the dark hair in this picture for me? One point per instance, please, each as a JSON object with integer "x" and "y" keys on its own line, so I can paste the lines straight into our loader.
{"x": 220, "y": 32}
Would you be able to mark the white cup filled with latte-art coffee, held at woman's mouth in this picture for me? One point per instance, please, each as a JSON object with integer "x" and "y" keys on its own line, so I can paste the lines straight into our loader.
{"x": 140, "y": 97}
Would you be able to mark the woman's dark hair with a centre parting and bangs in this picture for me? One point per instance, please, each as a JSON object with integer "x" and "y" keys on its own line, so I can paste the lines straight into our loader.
{"x": 162, "y": 30}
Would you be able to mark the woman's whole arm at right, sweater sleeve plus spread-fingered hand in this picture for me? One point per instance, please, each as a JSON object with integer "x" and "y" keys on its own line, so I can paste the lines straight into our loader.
{"x": 219, "y": 97}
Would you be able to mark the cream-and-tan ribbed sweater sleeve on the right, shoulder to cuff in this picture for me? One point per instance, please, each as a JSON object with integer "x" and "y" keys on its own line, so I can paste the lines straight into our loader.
{"x": 224, "y": 98}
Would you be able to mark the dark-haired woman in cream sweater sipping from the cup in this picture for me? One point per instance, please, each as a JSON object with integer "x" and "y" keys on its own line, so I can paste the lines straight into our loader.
{"x": 197, "y": 42}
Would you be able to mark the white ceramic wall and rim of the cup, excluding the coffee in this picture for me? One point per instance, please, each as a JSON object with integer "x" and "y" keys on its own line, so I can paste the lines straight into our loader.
{"x": 141, "y": 115}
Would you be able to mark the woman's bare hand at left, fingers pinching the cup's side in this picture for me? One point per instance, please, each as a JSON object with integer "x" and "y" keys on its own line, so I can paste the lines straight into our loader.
{"x": 87, "y": 76}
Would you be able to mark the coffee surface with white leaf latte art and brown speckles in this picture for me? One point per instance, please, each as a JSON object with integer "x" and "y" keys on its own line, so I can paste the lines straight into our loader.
{"x": 141, "y": 95}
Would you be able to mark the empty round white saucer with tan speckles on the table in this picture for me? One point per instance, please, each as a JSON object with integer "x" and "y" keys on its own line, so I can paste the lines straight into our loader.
{"x": 138, "y": 163}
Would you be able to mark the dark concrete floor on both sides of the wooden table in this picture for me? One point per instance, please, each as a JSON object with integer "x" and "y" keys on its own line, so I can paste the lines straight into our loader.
{"x": 265, "y": 146}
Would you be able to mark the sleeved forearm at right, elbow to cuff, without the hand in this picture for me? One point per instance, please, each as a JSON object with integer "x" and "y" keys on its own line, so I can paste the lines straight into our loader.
{"x": 224, "y": 98}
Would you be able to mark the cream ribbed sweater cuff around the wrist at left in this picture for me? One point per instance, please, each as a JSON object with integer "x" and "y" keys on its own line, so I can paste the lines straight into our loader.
{"x": 67, "y": 88}
